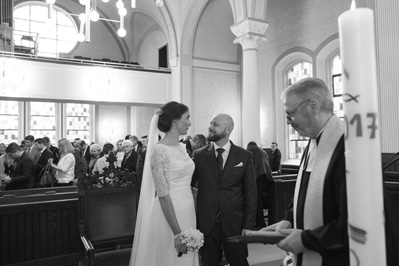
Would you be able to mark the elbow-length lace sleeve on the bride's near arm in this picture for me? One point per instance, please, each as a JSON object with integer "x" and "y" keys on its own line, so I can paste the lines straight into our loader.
{"x": 159, "y": 169}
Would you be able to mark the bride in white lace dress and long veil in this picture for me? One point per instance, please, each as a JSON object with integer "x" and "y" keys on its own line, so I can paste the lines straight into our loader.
{"x": 166, "y": 206}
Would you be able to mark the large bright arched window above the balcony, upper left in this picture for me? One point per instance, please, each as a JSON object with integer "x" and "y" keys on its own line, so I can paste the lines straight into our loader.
{"x": 46, "y": 35}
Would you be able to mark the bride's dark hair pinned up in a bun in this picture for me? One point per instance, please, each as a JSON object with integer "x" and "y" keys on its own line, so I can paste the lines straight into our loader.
{"x": 170, "y": 111}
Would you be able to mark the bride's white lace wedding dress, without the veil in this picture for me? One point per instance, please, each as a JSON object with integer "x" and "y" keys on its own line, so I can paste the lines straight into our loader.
{"x": 172, "y": 170}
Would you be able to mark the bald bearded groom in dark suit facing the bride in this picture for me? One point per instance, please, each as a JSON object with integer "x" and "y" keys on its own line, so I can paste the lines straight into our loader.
{"x": 226, "y": 201}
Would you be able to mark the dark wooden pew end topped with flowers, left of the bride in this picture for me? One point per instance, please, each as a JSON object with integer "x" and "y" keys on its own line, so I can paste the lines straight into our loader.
{"x": 108, "y": 209}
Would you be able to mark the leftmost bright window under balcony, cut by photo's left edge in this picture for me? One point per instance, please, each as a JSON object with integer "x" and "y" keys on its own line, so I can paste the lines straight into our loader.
{"x": 9, "y": 121}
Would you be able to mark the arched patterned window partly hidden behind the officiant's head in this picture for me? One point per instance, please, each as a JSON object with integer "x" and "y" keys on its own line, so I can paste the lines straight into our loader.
{"x": 297, "y": 143}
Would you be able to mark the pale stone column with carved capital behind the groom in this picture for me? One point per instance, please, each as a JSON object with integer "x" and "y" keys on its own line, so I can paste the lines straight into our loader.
{"x": 249, "y": 34}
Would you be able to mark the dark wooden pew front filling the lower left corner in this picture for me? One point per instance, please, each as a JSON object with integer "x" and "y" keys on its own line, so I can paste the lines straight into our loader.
{"x": 39, "y": 227}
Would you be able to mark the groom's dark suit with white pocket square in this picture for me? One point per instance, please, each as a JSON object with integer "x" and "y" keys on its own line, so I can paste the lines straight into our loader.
{"x": 228, "y": 199}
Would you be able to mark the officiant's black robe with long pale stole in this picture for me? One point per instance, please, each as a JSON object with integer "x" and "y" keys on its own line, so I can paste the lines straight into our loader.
{"x": 325, "y": 227}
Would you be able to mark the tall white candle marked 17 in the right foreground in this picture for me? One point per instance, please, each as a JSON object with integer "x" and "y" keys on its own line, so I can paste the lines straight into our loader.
{"x": 366, "y": 226}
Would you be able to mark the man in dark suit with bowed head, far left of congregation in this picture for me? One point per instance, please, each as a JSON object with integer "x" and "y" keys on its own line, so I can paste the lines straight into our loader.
{"x": 24, "y": 174}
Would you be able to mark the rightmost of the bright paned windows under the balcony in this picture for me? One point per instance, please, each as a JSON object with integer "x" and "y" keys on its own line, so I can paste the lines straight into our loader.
{"x": 78, "y": 121}
